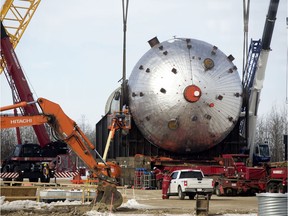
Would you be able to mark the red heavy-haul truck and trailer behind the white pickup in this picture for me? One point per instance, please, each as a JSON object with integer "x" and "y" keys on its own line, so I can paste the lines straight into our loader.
{"x": 234, "y": 176}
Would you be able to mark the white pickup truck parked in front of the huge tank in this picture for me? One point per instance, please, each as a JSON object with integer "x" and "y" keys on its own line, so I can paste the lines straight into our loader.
{"x": 189, "y": 183}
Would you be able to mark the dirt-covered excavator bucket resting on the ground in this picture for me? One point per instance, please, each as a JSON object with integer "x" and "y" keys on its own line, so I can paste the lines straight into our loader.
{"x": 108, "y": 198}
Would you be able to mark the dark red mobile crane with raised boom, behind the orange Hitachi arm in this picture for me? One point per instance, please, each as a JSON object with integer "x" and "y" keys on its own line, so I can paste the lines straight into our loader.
{"x": 29, "y": 155}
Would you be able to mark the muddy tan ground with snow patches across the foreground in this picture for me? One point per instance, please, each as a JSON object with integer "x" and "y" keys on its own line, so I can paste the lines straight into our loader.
{"x": 150, "y": 202}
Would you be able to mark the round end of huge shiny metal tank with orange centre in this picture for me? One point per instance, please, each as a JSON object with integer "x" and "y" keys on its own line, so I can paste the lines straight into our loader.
{"x": 185, "y": 95}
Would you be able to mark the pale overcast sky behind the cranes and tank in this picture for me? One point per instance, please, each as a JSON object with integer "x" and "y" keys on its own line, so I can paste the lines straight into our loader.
{"x": 71, "y": 51}
